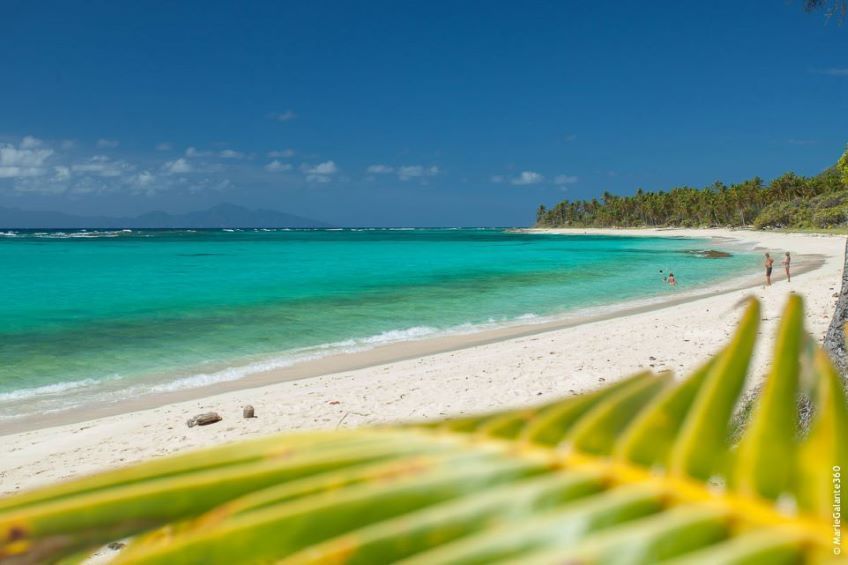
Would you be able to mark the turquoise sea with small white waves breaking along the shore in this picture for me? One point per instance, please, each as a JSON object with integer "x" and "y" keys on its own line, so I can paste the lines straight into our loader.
{"x": 99, "y": 316}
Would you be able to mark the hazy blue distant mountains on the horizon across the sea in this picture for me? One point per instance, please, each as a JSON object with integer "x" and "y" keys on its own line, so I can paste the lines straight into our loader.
{"x": 220, "y": 216}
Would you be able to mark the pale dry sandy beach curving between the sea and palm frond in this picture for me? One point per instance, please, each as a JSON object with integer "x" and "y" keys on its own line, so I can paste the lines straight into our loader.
{"x": 509, "y": 372}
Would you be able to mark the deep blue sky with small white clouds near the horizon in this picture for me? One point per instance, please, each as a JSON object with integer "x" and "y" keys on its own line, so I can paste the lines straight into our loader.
{"x": 407, "y": 112}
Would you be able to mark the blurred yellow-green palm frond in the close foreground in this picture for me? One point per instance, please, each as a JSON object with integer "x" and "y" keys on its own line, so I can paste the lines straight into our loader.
{"x": 641, "y": 471}
